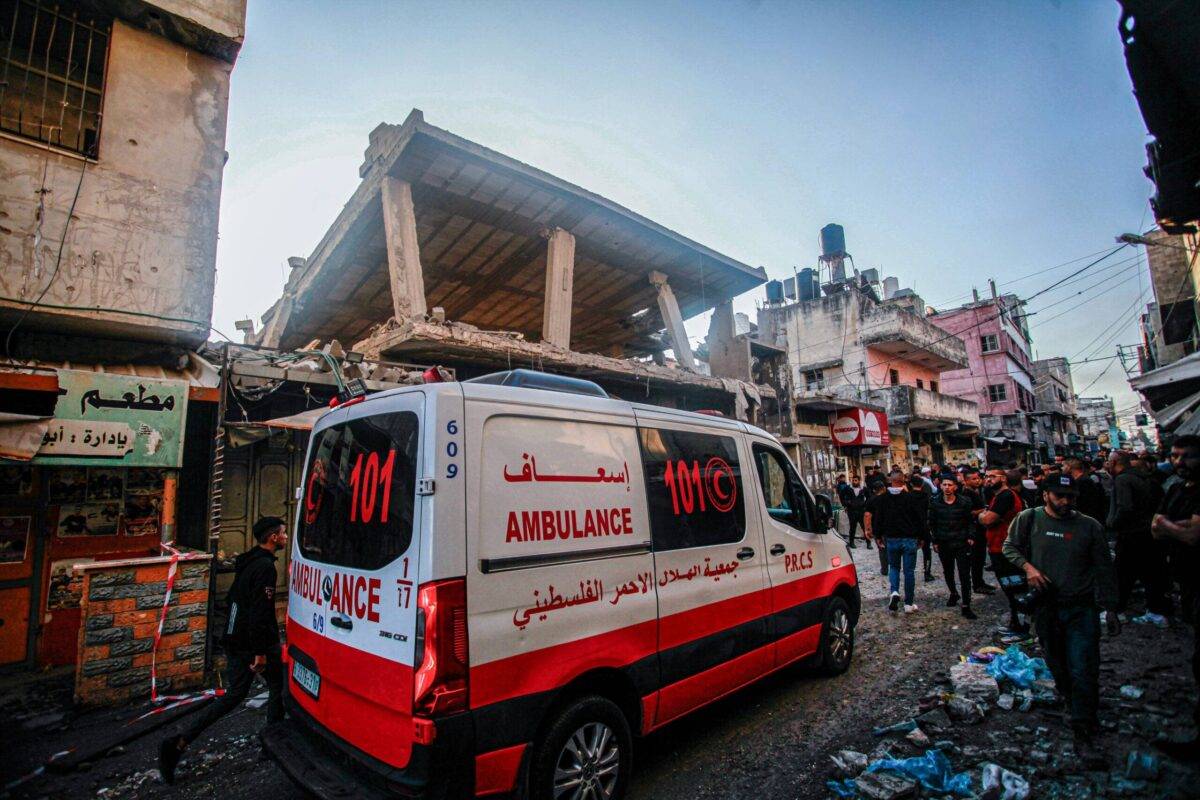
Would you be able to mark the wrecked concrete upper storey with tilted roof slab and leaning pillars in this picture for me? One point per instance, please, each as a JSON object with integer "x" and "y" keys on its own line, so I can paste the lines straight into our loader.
{"x": 452, "y": 254}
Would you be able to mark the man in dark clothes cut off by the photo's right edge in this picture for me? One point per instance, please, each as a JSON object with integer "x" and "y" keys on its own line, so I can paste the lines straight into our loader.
{"x": 1178, "y": 524}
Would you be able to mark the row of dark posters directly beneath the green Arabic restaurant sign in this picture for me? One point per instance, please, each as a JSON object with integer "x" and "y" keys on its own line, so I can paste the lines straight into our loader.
{"x": 104, "y": 502}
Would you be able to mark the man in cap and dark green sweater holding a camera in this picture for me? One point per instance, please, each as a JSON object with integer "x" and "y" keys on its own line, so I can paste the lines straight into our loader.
{"x": 1065, "y": 556}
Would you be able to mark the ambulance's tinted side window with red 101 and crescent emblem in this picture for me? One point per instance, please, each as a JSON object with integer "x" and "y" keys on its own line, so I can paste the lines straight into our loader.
{"x": 694, "y": 489}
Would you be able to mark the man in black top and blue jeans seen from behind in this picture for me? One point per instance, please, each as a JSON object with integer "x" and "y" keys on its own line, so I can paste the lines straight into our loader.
{"x": 895, "y": 518}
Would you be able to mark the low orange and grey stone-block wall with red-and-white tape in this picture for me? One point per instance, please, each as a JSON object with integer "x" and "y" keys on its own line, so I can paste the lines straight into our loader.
{"x": 121, "y": 607}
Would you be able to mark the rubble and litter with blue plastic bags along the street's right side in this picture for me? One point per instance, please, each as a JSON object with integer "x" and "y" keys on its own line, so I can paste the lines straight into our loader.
{"x": 994, "y": 729}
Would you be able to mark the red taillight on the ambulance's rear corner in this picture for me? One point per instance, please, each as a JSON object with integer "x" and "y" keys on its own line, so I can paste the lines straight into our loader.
{"x": 440, "y": 685}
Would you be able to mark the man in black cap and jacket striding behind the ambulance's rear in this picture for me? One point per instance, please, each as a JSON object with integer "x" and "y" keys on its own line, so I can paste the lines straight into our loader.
{"x": 251, "y": 641}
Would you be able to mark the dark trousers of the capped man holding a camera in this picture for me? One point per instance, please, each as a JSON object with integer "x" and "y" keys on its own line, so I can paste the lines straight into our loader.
{"x": 1071, "y": 640}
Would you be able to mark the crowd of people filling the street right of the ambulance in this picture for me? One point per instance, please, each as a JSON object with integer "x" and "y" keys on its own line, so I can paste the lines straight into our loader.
{"x": 1069, "y": 544}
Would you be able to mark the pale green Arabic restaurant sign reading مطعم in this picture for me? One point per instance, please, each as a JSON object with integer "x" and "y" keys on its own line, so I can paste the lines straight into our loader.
{"x": 119, "y": 420}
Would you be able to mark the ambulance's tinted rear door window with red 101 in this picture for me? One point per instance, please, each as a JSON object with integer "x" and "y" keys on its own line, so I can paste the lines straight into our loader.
{"x": 359, "y": 491}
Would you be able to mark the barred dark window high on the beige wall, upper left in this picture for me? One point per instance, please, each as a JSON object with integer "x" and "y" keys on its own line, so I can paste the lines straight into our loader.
{"x": 52, "y": 74}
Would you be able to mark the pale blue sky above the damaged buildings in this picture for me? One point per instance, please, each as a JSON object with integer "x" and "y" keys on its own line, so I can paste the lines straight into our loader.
{"x": 955, "y": 142}
